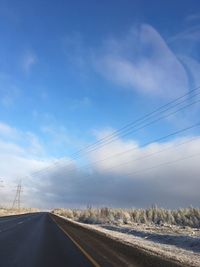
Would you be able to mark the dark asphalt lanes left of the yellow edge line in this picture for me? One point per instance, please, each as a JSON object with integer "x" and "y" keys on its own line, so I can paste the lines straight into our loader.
{"x": 35, "y": 240}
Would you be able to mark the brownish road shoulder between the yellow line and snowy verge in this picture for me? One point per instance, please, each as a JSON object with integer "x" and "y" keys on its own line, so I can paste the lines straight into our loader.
{"x": 108, "y": 252}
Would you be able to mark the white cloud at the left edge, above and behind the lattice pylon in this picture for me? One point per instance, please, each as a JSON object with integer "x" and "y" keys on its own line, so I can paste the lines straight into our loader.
{"x": 21, "y": 154}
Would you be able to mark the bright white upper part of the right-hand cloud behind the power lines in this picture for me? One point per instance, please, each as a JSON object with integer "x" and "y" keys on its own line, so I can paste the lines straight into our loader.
{"x": 131, "y": 157}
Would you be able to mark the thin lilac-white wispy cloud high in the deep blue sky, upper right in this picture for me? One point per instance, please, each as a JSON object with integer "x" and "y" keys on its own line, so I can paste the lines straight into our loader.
{"x": 140, "y": 60}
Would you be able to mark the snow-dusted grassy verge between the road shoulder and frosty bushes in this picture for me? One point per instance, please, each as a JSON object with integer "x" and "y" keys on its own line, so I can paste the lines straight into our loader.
{"x": 181, "y": 244}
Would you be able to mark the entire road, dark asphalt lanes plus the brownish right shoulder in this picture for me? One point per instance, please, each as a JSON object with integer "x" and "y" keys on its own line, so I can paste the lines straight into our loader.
{"x": 46, "y": 240}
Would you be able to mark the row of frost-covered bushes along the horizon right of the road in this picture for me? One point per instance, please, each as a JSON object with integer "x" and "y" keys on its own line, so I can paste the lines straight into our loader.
{"x": 159, "y": 216}
